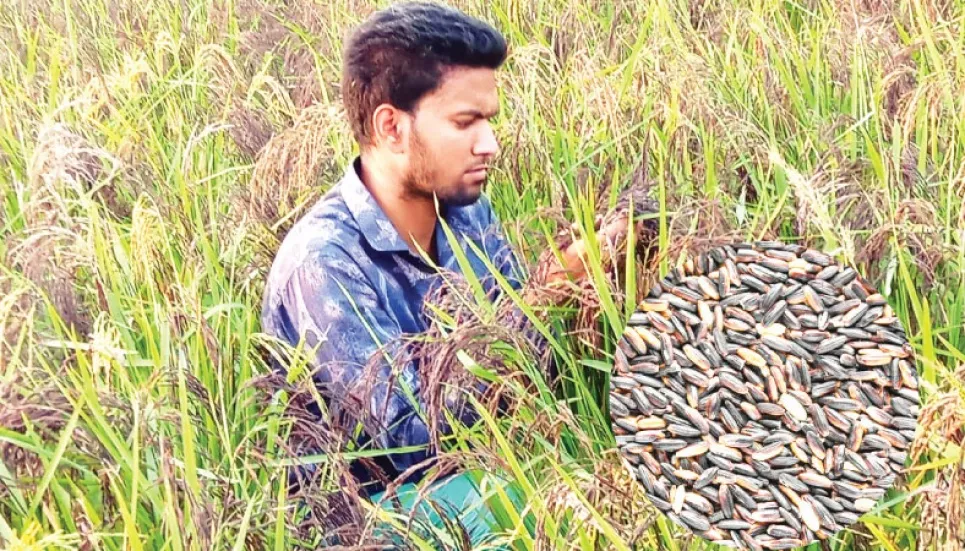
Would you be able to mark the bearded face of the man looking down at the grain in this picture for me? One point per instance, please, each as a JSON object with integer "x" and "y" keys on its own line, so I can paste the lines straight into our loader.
{"x": 451, "y": 143}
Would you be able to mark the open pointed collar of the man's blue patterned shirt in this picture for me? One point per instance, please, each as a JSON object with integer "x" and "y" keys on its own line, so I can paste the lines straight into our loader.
{"x": 375, "y": 226}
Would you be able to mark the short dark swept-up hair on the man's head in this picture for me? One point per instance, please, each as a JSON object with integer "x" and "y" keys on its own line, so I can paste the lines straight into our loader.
{"x": 401, "y": 53}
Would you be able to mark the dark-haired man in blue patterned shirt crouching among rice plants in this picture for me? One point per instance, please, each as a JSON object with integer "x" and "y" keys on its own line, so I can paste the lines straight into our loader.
{"x": 419, "y": 88}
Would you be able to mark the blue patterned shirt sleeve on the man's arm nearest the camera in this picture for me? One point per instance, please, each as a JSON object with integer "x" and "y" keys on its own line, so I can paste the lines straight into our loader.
{"x": 332, "y": 303}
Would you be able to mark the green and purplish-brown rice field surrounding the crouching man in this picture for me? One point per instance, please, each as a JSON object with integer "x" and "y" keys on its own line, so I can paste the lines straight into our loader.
{"x": 154, "y": 154}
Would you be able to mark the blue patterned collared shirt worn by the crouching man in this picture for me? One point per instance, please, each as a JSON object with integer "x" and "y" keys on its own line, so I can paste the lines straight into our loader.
{"x": 346, "y": 241}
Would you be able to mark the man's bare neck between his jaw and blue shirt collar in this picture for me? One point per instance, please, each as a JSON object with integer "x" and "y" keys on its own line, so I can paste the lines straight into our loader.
{"x": 413, "y": 217}
